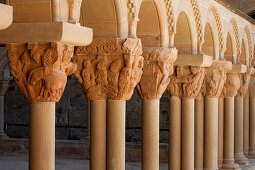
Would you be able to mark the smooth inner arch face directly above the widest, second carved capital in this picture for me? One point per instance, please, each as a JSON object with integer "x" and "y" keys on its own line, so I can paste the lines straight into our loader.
{"x": 108, "y": 19}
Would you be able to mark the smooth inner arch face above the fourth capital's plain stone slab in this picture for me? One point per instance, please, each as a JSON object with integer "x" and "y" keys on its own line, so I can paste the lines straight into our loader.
{"x": 183, "y": 39}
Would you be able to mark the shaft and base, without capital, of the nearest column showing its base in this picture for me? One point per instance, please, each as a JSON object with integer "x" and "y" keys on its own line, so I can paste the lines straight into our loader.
{"x": 228, "y": 162}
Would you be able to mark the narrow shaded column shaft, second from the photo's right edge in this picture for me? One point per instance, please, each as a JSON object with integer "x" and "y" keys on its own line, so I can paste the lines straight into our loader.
{"x": 246, "y": 124}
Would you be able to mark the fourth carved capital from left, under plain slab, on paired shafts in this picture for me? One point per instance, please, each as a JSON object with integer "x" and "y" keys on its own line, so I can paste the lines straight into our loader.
{"x": 186, "y": 81}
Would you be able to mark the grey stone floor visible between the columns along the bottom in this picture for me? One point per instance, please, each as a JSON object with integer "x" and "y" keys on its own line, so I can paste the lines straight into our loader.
{"x": 21, "y": 163}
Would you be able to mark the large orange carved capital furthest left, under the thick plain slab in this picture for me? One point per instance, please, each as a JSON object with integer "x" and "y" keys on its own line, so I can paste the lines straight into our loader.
{"x": 41, "y": 70}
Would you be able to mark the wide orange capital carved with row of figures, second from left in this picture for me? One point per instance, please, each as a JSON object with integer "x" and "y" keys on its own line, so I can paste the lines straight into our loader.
{"x": 109, "y": 68}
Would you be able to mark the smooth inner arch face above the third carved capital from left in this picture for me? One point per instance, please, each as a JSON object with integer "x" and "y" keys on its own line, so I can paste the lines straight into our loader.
{"x": 152, "y": 27}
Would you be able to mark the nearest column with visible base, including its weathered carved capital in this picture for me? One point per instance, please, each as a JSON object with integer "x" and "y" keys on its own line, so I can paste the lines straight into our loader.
{"x": 231, "y": 86}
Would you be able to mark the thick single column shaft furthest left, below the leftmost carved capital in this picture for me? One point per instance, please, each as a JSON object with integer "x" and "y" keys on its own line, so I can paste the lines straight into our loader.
{"x": 42, "y": 136}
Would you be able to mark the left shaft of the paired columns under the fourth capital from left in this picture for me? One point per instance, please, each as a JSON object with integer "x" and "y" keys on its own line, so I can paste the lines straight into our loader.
{"x": 175, "y": 133}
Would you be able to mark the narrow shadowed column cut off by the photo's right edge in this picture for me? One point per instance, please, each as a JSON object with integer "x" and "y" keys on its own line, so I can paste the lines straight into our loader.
{"x": 252, "y": 119}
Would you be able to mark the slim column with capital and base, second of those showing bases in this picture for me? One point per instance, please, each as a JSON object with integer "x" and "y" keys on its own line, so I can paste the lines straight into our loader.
{"x": 239, "y": 124}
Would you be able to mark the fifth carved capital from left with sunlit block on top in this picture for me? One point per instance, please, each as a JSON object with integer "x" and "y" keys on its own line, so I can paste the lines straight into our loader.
{"x": 215, "y": 78}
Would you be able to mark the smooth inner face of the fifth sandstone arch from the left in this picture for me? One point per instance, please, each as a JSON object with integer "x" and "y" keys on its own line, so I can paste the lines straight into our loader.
{"x": 208, "y": 47}
